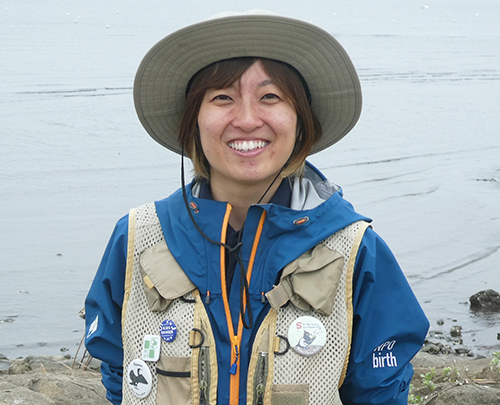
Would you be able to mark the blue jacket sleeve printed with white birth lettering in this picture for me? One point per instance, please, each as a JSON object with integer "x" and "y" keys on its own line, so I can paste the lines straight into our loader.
{"x": 389, "y": 327}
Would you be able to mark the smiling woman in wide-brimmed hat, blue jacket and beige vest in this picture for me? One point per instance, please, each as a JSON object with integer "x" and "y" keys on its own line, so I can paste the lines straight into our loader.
{"x": 256, "y": 283}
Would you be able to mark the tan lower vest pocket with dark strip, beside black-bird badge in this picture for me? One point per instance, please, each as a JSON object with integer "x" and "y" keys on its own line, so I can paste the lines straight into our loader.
{"x": 174, "y": 381}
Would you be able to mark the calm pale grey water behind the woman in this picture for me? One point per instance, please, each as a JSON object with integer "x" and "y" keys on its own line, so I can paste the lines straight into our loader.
{"x": 423, "y": 160}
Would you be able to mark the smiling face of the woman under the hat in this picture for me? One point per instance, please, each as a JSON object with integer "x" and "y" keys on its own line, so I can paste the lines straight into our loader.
{"x": 247, "y": 130}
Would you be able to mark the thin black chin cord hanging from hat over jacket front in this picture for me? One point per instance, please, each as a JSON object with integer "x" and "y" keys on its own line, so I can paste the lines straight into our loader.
{"x": 244, "y": 287}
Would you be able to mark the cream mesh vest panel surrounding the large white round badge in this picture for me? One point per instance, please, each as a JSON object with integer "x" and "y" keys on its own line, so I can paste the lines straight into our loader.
{"x": 323, "y": 370}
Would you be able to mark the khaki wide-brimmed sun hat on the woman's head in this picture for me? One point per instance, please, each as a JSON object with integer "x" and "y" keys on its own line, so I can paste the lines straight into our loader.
{"x": 164, "y": 73}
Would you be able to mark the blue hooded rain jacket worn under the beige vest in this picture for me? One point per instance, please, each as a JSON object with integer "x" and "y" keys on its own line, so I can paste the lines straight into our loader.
{"x": 385, "y": 308}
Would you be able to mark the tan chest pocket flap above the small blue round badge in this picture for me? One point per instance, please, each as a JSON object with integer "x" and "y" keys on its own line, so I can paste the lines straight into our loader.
{"x": 164, "y": 273}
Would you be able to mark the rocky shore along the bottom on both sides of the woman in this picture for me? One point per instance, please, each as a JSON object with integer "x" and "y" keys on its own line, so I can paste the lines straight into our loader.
{"x": 447, "y": 379}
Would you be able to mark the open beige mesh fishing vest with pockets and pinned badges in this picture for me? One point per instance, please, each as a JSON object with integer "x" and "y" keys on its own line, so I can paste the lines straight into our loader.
{"x": 301, "y": 349}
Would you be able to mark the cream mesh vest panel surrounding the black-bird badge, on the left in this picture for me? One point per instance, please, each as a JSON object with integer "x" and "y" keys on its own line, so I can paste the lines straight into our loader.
{"x": 139, "y": 320}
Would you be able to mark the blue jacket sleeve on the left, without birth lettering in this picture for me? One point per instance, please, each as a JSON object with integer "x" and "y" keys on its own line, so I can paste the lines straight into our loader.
{"x": 103, "y": 308}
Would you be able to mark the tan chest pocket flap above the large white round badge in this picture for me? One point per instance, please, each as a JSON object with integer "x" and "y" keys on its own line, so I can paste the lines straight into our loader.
{"x": 317, "y": 276}
